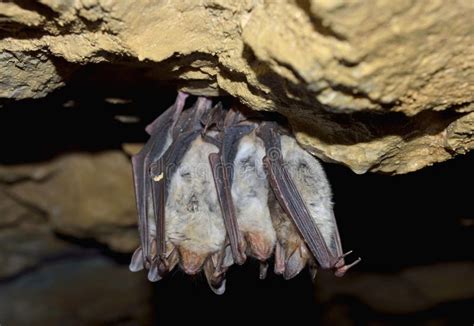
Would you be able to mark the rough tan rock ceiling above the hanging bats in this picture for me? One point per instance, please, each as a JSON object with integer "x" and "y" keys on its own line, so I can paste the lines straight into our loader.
{"x": 403, "y": 72}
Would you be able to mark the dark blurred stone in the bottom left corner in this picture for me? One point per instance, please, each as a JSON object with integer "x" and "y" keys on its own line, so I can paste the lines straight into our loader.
{"x": 87, "y": 291}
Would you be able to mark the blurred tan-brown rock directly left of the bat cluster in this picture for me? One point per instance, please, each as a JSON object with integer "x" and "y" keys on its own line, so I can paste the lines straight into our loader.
{"x": 84, "y": 195}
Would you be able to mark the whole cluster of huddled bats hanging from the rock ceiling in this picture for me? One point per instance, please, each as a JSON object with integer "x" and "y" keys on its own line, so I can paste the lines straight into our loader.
{"x": 215, "y": 185}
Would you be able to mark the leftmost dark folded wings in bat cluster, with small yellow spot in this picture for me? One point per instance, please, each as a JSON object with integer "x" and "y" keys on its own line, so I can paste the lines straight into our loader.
{"x": 153, "y": 166}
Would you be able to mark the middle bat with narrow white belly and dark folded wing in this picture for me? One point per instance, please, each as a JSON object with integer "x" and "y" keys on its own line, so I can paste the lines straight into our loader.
{"x": 242, "y": 190}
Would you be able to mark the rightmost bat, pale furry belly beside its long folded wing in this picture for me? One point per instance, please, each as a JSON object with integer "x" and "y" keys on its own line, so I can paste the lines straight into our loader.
{"x": 301, "y": 188}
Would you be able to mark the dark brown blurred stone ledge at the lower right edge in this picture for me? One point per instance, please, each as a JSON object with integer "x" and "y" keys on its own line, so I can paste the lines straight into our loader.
{"x": 413, "y": 289}
